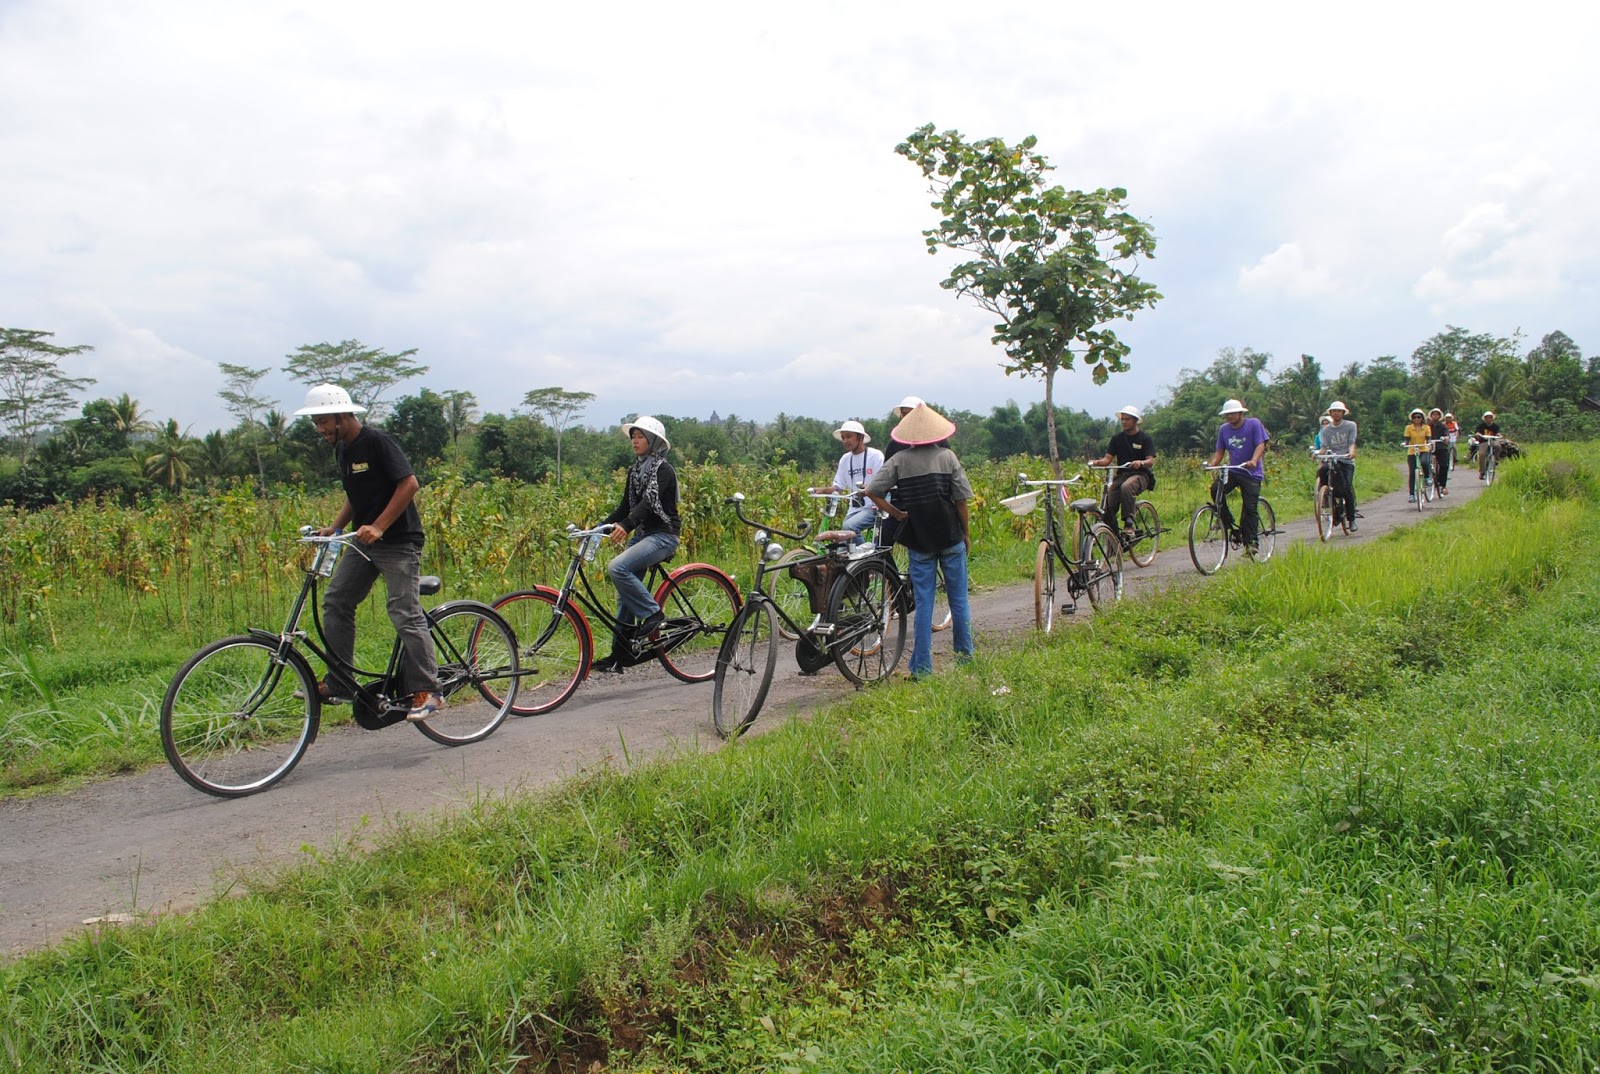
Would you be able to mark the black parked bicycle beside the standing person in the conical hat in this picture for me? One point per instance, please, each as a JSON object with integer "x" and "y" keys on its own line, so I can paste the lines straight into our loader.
{"x": 858, "y": 607}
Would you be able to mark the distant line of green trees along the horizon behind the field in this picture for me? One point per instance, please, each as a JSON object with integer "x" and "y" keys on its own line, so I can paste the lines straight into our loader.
{"x": 113, "y": 447}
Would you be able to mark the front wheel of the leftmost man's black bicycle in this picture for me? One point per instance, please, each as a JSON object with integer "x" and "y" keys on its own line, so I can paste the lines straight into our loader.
{"x": 230, "y": 723}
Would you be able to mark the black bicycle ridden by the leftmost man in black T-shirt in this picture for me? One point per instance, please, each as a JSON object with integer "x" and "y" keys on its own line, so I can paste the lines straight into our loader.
{"x": 231, "y": 729}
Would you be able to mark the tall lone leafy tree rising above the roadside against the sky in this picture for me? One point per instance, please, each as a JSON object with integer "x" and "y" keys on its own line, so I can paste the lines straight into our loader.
{"x": 1054, "y": 265}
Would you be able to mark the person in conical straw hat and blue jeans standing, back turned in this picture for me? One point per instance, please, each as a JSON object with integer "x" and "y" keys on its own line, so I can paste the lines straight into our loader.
{"x": 932, "y": 499}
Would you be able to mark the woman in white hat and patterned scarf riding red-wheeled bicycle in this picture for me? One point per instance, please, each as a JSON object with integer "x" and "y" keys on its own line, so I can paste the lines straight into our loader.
{"x": 649, "y": 519}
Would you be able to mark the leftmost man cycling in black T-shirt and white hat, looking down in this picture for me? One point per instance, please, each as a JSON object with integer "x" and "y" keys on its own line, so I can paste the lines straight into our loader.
{"x": 380, "y": 487}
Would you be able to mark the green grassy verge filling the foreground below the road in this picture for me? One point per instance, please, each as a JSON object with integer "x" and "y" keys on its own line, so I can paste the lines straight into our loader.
{"x": 1337, "y": 814}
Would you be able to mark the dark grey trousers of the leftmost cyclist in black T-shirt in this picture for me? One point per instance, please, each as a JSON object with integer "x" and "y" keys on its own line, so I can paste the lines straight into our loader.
{"x": 402, "y": 571}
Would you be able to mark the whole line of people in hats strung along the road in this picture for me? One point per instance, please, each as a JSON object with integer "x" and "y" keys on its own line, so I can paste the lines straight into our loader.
{"x": 922, "y": 500}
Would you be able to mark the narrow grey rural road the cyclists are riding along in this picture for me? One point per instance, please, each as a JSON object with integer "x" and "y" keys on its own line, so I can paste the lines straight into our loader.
{"x": 150, "y": 844}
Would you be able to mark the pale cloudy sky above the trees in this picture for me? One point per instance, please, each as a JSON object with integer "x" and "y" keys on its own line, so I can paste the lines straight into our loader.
{"x": 697, "y": 207}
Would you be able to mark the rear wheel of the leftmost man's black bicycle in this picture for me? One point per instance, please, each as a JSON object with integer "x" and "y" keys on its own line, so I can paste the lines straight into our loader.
{"x": 478, "y": 673}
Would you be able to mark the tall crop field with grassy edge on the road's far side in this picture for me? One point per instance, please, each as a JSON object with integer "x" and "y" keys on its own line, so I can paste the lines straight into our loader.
{"x": 102, "y": 604}
